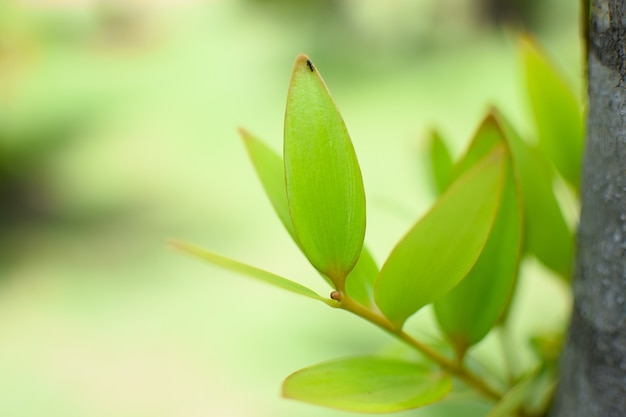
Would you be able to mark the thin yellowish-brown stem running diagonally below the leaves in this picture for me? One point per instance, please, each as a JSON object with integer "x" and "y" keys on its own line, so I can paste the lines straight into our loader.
{"x": 455, "y": 368}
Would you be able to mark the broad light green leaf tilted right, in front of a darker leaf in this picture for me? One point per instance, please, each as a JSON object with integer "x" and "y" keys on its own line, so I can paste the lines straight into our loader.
{"x": 444, "y": 245}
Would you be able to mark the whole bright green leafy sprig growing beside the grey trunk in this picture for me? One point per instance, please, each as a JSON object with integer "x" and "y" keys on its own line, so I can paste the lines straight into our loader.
{"x": 496, "y": 206}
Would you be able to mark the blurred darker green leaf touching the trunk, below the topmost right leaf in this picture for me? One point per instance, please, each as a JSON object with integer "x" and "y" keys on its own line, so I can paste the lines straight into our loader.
{"x": 546, "y": 234}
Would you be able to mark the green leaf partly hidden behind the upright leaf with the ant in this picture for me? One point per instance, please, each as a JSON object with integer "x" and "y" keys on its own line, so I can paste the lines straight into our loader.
{"x": 269, "y": 167}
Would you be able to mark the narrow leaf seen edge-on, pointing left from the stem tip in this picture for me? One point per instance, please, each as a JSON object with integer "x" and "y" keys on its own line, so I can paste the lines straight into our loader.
{"x": 251, "y": 271}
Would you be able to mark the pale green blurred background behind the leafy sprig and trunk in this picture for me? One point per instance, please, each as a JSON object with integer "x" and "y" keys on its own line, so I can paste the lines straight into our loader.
{"x": 118, "y": 132}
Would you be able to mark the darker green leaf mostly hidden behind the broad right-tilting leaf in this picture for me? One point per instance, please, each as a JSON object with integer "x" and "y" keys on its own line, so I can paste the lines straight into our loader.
{"x": 468, "y": 312}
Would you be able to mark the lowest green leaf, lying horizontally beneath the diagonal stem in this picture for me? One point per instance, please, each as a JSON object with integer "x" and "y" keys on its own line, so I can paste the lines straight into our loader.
{"x": 368, "y": 385}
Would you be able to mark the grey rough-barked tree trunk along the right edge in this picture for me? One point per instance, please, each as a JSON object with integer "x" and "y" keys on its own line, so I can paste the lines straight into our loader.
{"x": 593, "y": 367}
